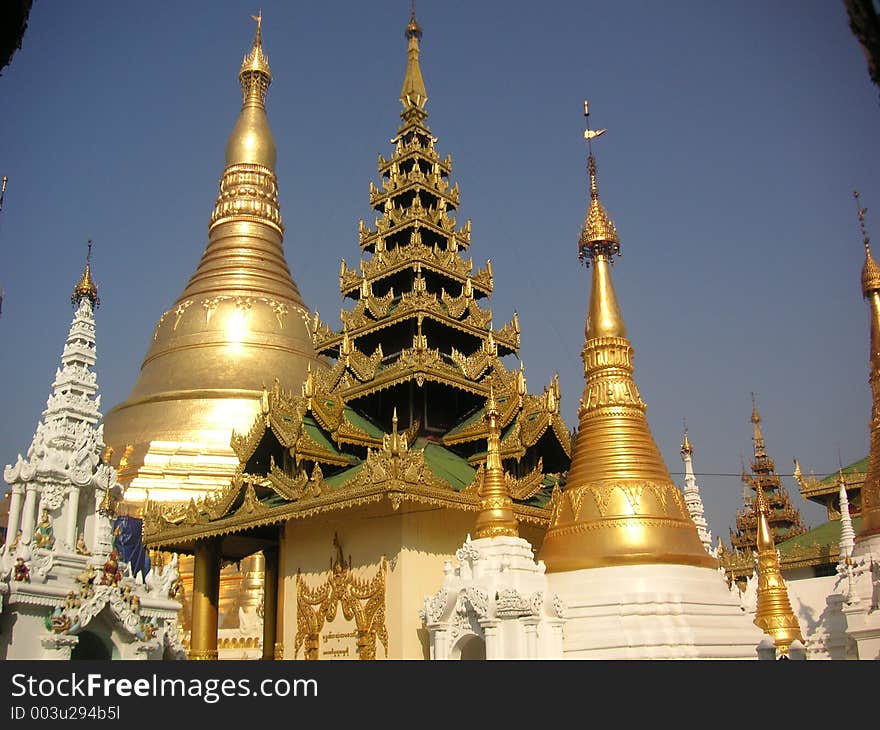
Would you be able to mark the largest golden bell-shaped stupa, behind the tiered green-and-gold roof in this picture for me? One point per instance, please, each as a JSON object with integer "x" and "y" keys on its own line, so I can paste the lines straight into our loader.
{"x": 239, "y": 324}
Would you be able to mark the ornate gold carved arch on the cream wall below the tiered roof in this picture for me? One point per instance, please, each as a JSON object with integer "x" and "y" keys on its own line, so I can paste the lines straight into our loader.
{"x": 362, "y": 601}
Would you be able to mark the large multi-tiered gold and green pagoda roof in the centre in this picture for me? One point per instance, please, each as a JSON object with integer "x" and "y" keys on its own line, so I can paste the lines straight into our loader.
{"x": 400, "y": 411}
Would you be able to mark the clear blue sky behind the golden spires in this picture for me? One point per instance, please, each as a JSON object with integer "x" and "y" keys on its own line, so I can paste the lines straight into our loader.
{"x": 736, "y": 135}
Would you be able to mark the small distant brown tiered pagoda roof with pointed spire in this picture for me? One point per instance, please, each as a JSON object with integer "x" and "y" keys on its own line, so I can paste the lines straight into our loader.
{"x": 783, "y": 518}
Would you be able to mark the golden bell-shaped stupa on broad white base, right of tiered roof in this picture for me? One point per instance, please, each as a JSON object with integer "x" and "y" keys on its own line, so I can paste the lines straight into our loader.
{"x": 619, "y": 505}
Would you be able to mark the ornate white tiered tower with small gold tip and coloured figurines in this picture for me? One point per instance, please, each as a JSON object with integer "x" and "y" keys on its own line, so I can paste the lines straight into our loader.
{"x": 61, "y": 576}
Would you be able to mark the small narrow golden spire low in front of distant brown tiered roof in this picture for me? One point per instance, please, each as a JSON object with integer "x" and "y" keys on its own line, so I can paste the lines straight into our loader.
{"x": 773, "y": 614}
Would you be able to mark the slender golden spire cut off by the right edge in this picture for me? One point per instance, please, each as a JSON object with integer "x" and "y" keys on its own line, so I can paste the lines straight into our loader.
{"x": 871, "y": 291}
